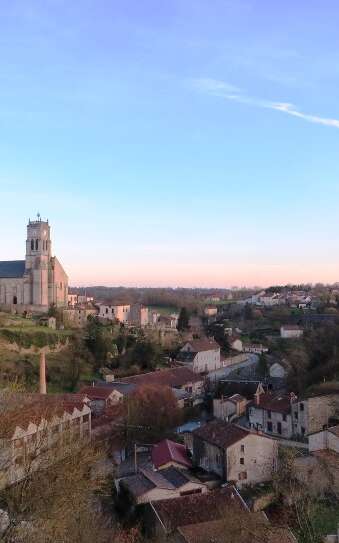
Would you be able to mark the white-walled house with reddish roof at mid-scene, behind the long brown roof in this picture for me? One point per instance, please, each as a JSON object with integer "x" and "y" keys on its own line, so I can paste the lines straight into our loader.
{"x": 202, "y": 354}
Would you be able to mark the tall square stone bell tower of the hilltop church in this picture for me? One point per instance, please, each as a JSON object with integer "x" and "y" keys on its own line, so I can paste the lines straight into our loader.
{"x": 38, "y": 253}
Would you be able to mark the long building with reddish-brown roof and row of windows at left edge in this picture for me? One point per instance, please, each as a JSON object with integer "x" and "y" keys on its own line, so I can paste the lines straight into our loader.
{"x": 40, "y": 431}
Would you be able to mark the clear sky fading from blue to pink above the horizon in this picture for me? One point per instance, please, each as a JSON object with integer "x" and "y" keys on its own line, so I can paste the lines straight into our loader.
{"x": 177, "y": 143}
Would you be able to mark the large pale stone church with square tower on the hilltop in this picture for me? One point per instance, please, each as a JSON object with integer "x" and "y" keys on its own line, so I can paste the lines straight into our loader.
{"x": 39, "y": 281}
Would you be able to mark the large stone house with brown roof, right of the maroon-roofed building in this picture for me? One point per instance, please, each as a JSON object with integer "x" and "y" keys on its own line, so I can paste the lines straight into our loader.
{"x": 234, "y": 453}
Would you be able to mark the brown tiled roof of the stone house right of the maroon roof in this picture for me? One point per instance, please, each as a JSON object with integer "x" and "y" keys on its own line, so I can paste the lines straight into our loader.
{"x": 221, "y": 434}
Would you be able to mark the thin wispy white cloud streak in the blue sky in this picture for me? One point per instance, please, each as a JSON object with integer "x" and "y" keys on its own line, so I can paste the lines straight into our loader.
{"x": 227, "y": 91}
